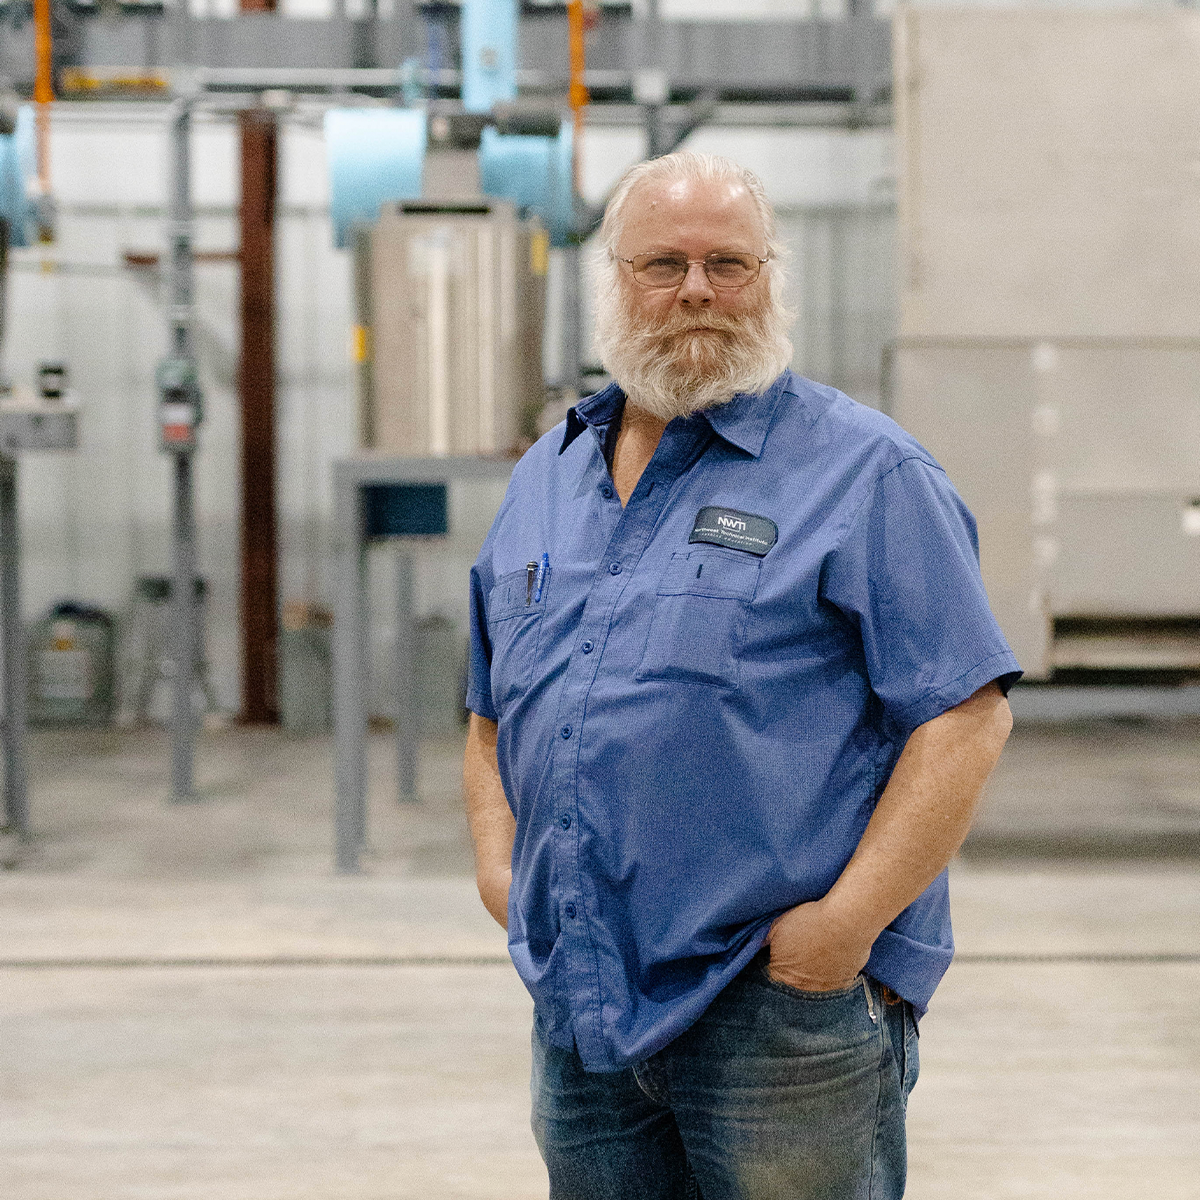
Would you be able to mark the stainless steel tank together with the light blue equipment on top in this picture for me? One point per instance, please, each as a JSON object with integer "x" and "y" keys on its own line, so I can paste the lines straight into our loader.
{"x": 451, "y": 219}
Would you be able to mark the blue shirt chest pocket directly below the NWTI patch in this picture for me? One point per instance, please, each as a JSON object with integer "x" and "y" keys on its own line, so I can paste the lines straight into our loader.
{"x": 700, "y": 615}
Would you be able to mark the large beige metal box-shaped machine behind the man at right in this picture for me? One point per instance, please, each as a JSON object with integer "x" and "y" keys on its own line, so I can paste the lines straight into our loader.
{"x": 1051, "y": 308}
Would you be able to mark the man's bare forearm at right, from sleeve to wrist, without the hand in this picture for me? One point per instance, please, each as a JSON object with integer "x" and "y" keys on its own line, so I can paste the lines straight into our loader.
{"x": 923, "y": 815}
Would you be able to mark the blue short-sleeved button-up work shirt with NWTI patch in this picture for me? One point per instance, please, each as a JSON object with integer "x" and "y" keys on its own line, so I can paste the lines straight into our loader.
{"x": 694, "y": 734}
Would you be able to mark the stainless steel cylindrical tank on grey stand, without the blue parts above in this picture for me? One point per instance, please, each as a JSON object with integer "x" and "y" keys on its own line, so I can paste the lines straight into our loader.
{"x": 453, "y": 316}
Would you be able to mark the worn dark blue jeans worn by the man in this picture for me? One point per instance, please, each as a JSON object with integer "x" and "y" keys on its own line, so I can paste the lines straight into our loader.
{"x": 773, "y": 1095}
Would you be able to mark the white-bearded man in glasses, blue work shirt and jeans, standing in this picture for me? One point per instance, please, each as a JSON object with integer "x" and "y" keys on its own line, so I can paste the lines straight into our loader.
{"x": 735, "y": 689}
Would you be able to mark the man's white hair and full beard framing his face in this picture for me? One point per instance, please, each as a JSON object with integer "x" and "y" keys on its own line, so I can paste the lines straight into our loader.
{"x": 657, "y": 373}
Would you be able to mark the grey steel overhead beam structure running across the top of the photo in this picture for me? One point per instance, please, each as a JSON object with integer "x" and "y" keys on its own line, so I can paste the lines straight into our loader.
{"x": 800, "y": 73}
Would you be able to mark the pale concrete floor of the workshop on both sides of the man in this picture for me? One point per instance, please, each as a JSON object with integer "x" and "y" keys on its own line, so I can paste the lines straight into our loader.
{"x": 194, "y": 1007}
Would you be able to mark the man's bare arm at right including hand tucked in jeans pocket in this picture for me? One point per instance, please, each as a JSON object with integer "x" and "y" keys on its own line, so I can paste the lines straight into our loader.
{"x": 919, "y": 825}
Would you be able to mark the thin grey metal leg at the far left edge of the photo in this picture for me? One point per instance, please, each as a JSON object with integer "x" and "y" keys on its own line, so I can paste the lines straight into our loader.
{"x": 16, "y": 782}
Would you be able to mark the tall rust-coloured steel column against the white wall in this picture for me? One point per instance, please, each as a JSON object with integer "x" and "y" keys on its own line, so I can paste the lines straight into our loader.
{"x": 256, "y": 386}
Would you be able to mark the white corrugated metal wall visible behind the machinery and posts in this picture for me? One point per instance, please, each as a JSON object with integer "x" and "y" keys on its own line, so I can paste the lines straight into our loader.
{"x": 95, "y": 520}
